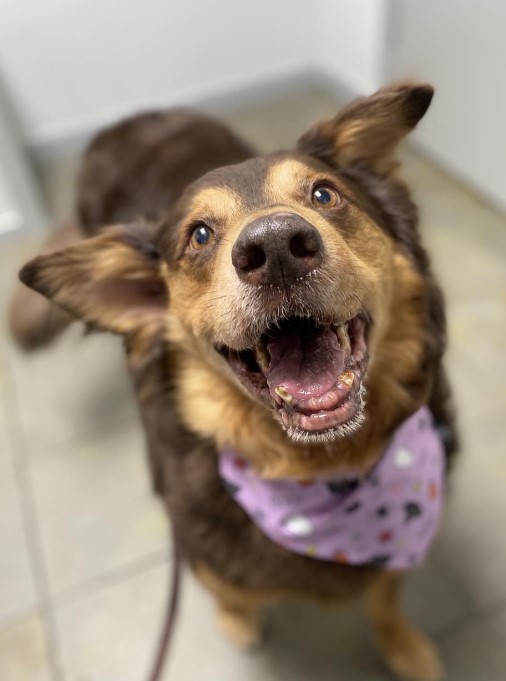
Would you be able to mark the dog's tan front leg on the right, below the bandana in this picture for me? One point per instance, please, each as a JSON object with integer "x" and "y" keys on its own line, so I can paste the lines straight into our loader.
{"x": 408, "y": 653}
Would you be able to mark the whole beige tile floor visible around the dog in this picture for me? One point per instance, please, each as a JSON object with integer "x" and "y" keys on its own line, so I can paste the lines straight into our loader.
{"x": 84, "y": 561}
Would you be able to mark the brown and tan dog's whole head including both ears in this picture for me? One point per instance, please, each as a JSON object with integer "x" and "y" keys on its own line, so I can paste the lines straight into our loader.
{"x": 296, "y": 278}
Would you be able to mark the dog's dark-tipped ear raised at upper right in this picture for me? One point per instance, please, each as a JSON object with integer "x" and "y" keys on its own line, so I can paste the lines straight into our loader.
{"x": 368, "y": 130}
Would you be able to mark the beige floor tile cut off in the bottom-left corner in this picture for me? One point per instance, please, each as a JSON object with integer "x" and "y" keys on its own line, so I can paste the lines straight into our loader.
{"x": 22, "y": 652}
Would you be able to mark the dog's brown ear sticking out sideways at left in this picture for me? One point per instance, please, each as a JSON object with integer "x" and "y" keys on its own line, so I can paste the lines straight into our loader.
{"x": 114, "y": 281}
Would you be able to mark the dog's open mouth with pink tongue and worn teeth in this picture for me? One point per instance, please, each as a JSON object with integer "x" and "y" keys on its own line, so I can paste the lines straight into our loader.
{"x": 310, "y": 373}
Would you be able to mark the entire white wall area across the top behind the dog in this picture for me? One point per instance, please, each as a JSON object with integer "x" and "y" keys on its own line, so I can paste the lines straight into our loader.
{"x": 74, "y": 65}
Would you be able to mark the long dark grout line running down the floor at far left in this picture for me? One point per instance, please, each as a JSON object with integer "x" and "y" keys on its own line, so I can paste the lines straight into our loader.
{"x": 26, "y": 499}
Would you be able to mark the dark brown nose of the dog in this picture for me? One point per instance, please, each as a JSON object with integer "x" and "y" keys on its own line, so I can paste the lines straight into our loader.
{"x": 277, "y": 249}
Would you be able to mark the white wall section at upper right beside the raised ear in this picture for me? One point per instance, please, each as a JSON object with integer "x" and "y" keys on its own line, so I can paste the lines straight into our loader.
{"x": 461, "y": 48}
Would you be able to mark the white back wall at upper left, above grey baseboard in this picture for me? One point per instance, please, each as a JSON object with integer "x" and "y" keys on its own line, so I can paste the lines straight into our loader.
{"x": 72, "y": 65}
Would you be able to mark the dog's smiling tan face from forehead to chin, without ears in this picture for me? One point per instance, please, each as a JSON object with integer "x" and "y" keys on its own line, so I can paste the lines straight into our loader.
{"x": 281, "y": 280}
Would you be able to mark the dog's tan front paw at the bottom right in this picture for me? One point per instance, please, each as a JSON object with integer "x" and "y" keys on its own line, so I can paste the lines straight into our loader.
{"x": 413, "y": 657}
